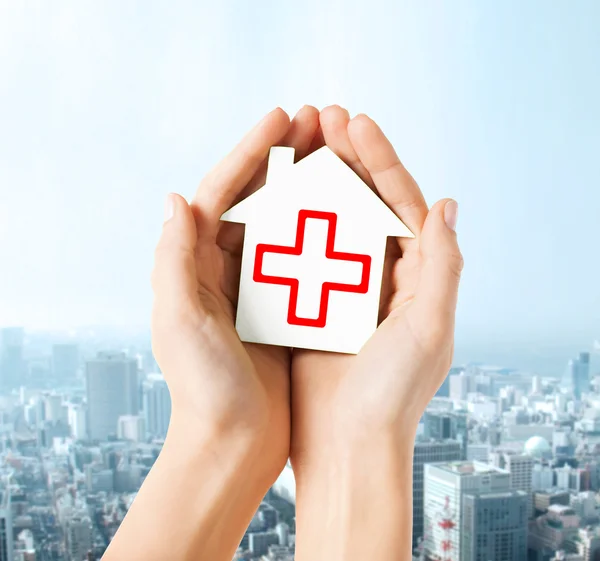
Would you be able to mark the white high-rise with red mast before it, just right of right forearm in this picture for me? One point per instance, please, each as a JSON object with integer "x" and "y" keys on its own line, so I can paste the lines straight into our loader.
{"x": 445, "y": 486}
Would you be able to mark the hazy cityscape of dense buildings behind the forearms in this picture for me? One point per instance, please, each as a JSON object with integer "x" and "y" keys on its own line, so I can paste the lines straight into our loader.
{"x": 506, "y": 462}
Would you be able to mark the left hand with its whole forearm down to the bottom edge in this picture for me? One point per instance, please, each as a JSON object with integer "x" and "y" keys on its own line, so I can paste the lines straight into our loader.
{"x": 228, "y": 438}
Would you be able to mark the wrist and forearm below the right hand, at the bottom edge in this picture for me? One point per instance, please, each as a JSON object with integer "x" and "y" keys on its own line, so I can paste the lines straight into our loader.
{"x": 362, "y": 497}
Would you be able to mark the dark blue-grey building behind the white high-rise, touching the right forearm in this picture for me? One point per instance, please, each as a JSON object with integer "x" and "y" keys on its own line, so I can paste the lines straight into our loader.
{"x": 426, "y": 453}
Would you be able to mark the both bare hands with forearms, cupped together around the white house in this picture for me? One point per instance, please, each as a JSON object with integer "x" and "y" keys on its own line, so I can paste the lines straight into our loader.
{"x": 352, "y": 418}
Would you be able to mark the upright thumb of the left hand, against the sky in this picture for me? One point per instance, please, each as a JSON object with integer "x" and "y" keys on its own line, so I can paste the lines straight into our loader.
{"x": 174, "y": 274}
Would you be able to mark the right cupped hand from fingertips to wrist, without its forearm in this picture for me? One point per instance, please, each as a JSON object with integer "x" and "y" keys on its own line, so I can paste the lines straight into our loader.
{"x": 383, "y": 389}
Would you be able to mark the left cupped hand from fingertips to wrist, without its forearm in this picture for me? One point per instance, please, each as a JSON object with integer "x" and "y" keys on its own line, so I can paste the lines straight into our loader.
{"x": 219, "y": 385}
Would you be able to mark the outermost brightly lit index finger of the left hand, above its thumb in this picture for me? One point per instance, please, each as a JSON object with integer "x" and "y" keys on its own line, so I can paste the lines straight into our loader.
{"x": 222, "y": 184}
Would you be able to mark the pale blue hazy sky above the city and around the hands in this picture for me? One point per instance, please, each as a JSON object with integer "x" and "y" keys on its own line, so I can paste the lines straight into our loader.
{"x": 107, "y": 106}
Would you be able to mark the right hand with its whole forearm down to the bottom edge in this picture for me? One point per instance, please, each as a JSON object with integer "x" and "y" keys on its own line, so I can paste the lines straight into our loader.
{"x": 354, "y": 417}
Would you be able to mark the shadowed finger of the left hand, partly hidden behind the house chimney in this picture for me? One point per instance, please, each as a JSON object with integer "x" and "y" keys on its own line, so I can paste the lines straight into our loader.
{"x": 300, "y": 135}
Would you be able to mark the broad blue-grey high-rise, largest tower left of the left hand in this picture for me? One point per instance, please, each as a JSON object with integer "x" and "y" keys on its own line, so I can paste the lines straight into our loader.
{"x": 112, "y": 391}
